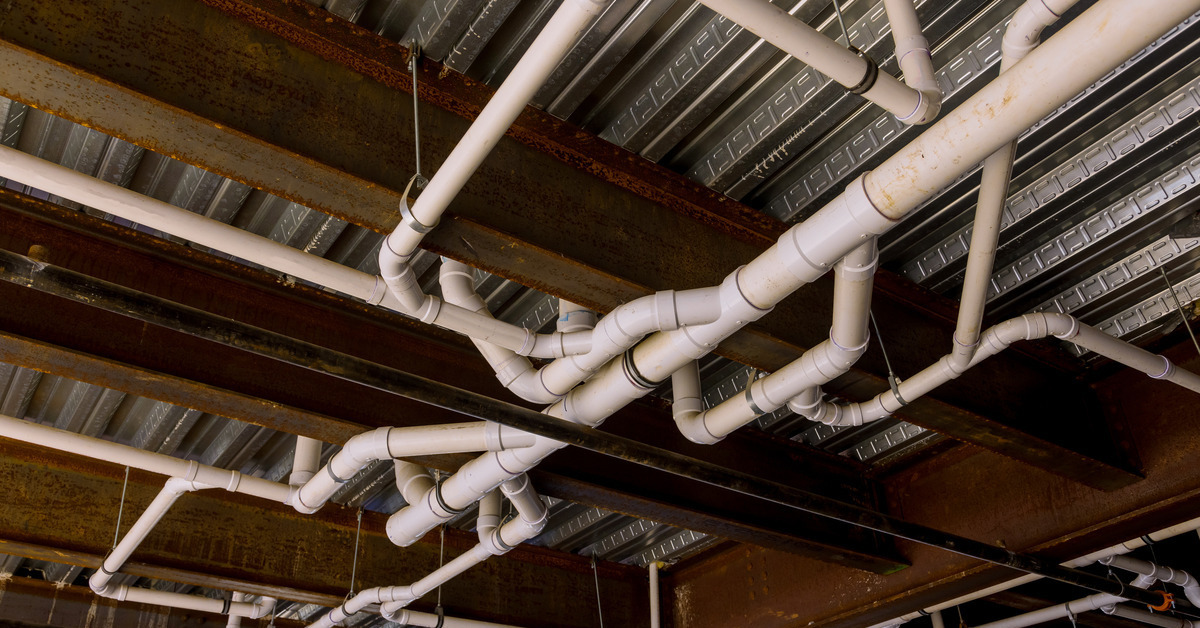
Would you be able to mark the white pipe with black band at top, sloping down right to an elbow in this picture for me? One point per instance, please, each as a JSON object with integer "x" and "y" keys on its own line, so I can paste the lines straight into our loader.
{"x": 830, "y": 58}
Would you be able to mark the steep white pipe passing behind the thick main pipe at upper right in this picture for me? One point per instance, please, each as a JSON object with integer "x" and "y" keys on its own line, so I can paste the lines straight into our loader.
{"x": 1021, "y": 38}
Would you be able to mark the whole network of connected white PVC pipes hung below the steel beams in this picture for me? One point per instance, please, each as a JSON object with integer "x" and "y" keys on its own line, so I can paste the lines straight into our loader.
{"x": 647, "y": 342}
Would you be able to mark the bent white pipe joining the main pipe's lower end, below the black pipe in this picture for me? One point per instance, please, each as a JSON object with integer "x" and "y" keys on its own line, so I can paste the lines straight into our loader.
{"x": 389, "y": 444}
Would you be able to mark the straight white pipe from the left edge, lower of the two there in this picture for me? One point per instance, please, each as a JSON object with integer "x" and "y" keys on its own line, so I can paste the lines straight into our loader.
{"x": 131, "y": 457}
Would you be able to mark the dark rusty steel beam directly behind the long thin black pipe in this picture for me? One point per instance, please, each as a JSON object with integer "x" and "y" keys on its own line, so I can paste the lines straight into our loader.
{"x": 45, "y": 334}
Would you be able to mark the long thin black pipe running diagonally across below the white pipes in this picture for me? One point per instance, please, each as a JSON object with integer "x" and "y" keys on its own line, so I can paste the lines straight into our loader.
{"x": 70, "y": 285}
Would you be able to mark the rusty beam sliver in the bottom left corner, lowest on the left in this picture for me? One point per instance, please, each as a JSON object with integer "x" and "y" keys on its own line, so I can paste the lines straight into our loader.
{"x": 31, "y": 603}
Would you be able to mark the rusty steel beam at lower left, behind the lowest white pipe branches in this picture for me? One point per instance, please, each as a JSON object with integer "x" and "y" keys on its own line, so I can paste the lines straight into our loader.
{"x": 61, "y": 510}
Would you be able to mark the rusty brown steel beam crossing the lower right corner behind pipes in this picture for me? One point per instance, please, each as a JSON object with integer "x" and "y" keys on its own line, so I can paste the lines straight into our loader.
{"x": 976, "y": 494}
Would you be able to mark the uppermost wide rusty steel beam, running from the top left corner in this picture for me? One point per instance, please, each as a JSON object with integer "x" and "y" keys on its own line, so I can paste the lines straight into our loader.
{"x": 226, "y": 86}
